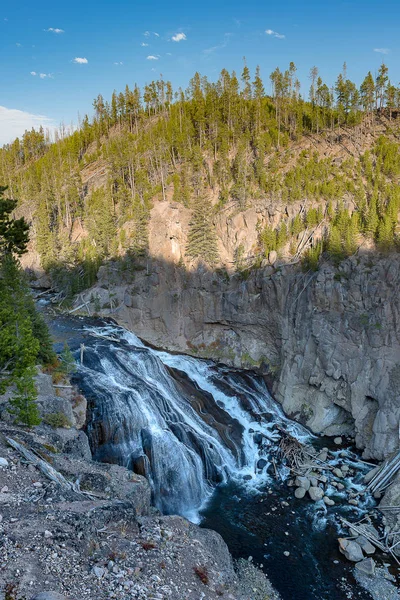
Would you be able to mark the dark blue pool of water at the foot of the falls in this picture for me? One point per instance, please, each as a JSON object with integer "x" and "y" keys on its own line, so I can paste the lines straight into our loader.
{"x": 314, "y": 569}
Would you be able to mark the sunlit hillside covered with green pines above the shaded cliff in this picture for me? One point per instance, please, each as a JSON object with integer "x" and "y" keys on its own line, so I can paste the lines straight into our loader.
{"x": 330, "y": 153}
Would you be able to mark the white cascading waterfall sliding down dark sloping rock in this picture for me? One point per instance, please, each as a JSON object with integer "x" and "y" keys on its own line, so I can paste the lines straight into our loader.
{"x": 185, "y": 423}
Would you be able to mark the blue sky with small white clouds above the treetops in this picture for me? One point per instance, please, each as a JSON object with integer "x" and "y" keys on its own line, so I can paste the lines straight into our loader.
{"x": 43, "y": 82}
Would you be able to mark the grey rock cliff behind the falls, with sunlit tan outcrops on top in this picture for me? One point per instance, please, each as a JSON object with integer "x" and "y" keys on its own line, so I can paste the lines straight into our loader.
{"x": 330, "y": 340}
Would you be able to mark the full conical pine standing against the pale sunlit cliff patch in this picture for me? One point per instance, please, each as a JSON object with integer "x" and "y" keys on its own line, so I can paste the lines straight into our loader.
{"x": 202, "y": 239}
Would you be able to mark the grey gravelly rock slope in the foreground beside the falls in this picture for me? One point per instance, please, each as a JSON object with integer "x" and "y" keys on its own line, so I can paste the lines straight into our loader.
{"x": 101, "y": 539}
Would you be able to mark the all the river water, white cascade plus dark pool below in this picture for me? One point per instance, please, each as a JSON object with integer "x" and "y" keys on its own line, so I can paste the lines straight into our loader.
{"x": 205, "y": 436}
